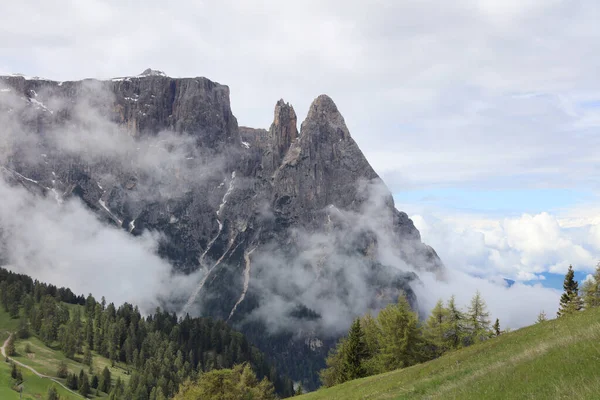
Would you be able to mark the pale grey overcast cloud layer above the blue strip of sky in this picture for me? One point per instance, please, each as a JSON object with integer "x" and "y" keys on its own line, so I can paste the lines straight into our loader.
{"x": 473, "y": 93}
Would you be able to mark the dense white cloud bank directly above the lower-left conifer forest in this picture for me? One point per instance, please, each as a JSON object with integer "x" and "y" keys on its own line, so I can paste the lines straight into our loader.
{"x": 68, "y": 246}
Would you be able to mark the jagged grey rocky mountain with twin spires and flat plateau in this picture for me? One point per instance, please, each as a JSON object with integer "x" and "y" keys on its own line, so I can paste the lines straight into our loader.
{"x": 288, "y": 234}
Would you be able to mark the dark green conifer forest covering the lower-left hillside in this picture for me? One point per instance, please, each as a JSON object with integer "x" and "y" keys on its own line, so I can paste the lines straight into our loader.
{"x": 160, "y": 351}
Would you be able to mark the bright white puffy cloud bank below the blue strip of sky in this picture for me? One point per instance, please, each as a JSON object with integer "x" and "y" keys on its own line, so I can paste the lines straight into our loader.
{"x": 519, "y": 248}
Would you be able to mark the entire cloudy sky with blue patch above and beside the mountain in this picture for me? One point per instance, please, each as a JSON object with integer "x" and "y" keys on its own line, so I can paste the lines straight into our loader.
{"x": 480, "y": 116}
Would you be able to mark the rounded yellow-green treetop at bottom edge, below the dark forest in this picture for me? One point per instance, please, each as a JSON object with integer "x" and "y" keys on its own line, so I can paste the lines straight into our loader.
{"x": 227, "y": 384}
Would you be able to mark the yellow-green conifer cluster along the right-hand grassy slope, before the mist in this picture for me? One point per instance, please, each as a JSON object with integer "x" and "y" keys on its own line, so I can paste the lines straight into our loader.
{"x": 395, "y": 338}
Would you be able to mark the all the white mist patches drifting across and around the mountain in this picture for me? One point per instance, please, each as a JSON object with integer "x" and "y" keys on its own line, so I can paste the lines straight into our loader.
{"x": 62, "y": 241}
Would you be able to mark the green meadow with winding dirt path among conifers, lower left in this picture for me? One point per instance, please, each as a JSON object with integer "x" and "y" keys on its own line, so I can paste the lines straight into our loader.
{"x": 44, "y": 360}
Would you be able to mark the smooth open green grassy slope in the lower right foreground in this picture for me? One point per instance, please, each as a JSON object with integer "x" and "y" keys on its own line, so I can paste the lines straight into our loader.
{"x": 553, "y": 360}
